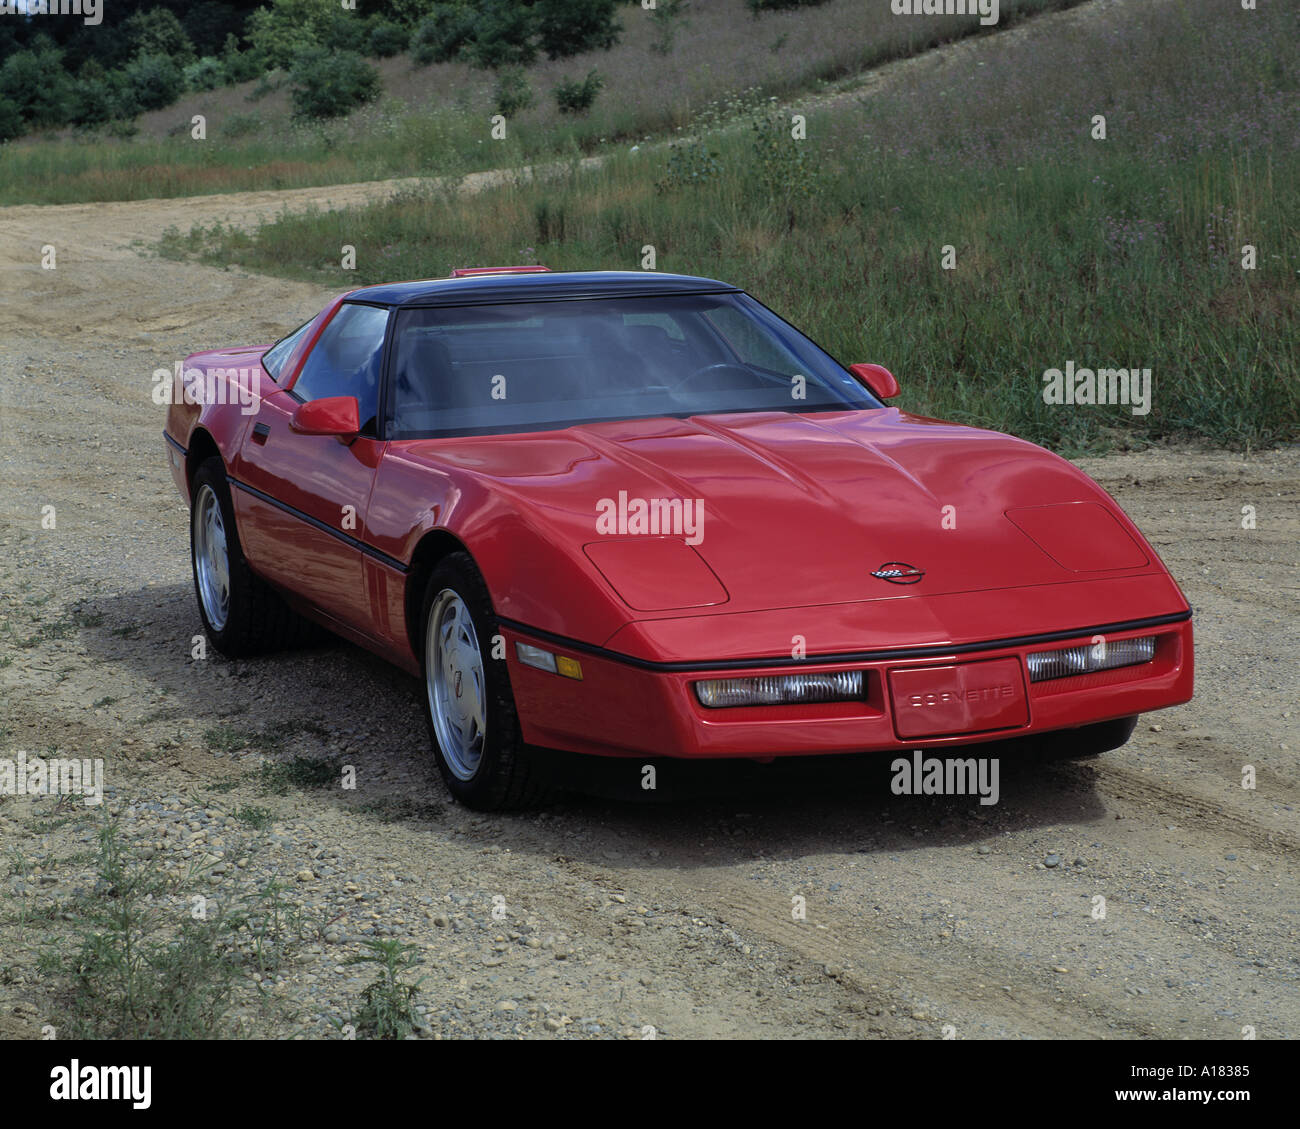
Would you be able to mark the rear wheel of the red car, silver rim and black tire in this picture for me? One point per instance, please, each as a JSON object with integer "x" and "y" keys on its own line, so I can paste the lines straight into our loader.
{"x": 241, "y": 613}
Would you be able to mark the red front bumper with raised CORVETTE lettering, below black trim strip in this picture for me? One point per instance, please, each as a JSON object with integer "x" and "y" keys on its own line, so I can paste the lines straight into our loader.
{"x": 626, "y": 707}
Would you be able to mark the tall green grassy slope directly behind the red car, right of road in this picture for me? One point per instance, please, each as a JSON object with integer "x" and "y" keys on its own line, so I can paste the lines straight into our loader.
{"x": 1125, "y": 253}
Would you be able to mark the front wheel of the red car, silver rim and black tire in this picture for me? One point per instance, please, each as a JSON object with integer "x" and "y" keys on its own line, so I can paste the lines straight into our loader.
{"x": 469, "y": 706}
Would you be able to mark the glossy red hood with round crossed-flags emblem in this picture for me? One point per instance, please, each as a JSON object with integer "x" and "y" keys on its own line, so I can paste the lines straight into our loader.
{"x": 801, "y": 509}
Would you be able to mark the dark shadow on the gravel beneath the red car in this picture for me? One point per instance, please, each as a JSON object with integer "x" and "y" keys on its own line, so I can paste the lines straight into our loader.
{"x": 339, "y": 703}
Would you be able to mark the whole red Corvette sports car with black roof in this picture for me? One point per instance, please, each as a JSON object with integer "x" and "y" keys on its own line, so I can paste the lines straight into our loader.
{"x": 640, "y": 516}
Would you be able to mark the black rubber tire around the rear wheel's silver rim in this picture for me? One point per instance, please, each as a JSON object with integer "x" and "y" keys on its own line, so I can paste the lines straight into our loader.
{"x": 257, "y": 620}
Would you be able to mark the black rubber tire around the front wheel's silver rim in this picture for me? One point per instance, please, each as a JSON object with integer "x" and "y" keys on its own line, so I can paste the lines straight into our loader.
{"x": 508, "y": 773}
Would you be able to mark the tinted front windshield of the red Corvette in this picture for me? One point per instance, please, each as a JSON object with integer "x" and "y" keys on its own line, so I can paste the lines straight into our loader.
{"x": 534, "y": 366}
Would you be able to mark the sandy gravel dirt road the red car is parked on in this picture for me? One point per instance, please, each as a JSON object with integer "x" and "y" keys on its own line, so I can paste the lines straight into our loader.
{"x": 614, "y": 918}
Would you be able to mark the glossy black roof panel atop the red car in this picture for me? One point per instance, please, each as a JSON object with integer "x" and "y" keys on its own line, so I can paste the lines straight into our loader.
{"x": 535, "y": 288}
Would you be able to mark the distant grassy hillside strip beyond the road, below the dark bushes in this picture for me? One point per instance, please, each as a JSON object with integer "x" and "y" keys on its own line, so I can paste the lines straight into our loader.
{"x": 411, "y": 133}
